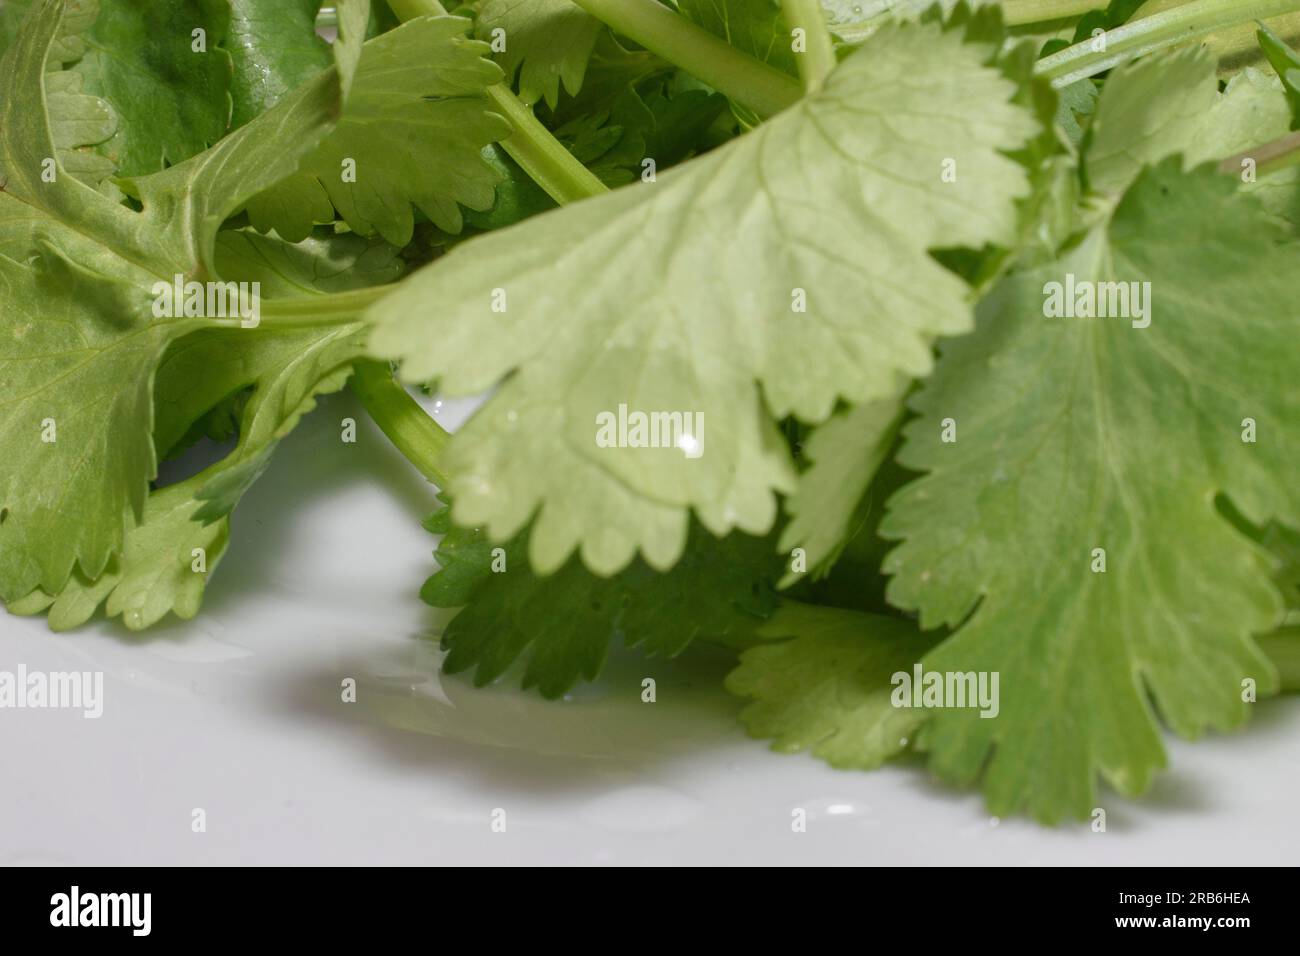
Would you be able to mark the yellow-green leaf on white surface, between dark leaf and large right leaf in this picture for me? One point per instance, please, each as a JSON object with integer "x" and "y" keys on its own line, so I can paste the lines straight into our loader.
{"x": 829, "y": 689}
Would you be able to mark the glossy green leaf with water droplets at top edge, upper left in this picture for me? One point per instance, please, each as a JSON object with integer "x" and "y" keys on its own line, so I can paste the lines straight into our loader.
{"x": 274, "y": 49}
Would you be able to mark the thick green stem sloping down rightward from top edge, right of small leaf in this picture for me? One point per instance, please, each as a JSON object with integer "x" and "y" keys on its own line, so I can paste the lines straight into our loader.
{"x": 746, "y": 80}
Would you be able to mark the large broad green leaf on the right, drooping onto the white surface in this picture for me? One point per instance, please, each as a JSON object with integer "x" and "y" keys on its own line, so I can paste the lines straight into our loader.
{"x": 1077, "y": 435}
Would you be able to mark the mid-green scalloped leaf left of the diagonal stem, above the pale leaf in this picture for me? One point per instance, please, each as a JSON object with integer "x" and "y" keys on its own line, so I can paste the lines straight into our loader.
{"x": 414, "y": 132}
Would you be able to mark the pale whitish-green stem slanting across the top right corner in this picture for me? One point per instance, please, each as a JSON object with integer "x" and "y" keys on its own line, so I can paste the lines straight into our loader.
{"x": 1160, "y": 31}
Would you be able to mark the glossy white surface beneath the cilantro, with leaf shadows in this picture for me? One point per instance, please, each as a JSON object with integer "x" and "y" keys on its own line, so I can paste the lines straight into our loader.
{"x": 240, "y": 713}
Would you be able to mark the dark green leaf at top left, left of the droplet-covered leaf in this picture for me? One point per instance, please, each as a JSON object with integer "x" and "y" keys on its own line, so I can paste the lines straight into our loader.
{"x": 175, "y": 101}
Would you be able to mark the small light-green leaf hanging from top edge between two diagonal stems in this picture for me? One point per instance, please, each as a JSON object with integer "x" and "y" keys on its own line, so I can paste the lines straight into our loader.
{"x": 548, "y": 42}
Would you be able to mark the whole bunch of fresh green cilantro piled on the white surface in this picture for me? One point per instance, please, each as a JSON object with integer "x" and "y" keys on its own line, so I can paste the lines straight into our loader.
{"x": 825, "y": 236}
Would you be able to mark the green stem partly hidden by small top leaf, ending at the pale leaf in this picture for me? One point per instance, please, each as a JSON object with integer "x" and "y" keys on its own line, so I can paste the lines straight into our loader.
{"x": 530, "y": 144}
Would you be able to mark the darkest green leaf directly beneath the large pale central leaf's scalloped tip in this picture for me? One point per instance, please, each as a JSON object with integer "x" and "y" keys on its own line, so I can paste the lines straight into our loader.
{"x": 564, "y": 625}
